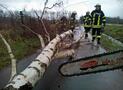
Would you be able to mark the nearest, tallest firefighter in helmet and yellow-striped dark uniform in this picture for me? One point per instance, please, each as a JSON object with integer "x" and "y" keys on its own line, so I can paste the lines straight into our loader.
{"x": 98, "y": 23}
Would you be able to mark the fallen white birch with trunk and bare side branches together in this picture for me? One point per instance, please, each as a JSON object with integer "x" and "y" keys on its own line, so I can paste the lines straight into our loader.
{"x": 37, "y": 68}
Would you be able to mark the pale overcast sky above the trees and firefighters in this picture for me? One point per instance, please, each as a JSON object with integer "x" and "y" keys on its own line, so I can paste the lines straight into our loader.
{"x": 111, "y": 8}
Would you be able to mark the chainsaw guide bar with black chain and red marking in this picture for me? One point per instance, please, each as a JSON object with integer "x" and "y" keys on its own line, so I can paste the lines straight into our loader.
{"x": 93, "y": 64}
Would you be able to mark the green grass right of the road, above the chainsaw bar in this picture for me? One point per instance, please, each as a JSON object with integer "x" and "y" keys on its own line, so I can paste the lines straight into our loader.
{"x": 115, "y": 31}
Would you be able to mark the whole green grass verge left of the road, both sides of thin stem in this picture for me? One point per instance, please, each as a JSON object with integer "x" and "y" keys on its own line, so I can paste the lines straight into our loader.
{"x": 21, "y": 47}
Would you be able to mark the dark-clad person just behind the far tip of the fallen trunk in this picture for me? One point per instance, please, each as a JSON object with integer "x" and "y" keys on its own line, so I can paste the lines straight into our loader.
{"x": 72, "y": 21}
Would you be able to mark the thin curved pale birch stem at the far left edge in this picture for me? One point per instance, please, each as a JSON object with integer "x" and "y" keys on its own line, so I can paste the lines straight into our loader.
{"x": 13, "y": 60}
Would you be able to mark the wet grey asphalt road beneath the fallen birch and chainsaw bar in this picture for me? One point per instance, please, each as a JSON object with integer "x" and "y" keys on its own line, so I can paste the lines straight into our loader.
{"x": 52, "y": 80}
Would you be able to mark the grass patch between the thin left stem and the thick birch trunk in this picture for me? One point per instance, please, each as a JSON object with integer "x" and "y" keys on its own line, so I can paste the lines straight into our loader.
{"x": 25, "y": 47}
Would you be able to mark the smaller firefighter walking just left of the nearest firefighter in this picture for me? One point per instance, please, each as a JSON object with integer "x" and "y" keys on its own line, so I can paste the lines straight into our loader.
{"x": 87, "y": 20}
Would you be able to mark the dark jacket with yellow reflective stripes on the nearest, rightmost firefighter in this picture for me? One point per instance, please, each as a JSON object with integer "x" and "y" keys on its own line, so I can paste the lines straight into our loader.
{"x": 98, "y": 18}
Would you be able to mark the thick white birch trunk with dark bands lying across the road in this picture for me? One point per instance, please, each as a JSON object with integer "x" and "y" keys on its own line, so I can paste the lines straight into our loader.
{"x": 30, "y": 76}
